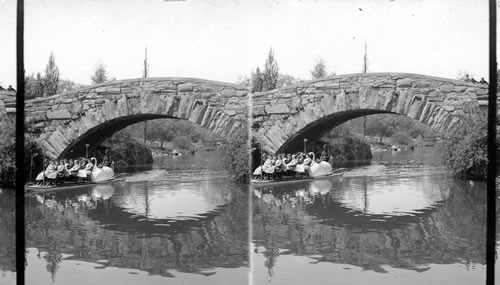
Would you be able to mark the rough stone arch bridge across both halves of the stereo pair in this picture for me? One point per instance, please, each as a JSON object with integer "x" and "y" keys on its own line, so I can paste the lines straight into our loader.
{"x": 280, "y": 119}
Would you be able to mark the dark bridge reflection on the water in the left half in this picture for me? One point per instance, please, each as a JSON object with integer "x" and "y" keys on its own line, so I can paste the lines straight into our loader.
{"x": 68, "y": 225}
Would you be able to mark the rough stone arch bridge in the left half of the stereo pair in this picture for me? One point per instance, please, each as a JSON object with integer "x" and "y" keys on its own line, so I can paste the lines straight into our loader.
{"x": 68, "y": 121}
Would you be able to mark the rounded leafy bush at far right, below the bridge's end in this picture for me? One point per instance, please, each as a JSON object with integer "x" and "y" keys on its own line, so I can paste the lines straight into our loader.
{"x": 465, "y": 150}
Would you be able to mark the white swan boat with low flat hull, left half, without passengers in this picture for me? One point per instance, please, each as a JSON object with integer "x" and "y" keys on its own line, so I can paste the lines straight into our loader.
{"x": 97, "y": 175}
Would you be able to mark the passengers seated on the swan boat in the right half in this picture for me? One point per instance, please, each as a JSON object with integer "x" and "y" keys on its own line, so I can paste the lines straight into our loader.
{"x": 283, "y": 164}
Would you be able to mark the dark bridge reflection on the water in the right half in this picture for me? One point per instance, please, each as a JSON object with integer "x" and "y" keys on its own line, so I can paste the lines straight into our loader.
{"x": 452, "y": 232}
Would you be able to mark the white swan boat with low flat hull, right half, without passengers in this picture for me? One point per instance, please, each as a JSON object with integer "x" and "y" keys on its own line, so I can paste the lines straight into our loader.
{"x": 316, "y": 170}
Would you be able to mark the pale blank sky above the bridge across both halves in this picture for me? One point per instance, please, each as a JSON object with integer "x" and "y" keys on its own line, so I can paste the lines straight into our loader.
{"x": 225, "y": 40}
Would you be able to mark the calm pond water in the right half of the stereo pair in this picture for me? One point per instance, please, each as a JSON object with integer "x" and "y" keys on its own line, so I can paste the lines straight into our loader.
{"x": 398, "y": 220}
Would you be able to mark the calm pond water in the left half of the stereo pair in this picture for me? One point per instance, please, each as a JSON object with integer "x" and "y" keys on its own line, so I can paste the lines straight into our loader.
{"x": 181, "y": 222}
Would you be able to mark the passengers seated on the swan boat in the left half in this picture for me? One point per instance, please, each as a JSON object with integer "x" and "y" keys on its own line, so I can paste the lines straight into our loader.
{"x": 67, "y": 169}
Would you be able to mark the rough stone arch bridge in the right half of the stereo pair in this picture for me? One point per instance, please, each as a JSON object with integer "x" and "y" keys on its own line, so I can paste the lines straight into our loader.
{"x": 283, "y": 118}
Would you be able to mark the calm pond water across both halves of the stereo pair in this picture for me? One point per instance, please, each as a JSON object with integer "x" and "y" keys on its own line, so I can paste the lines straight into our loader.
{"x": 396, "y": 220}
